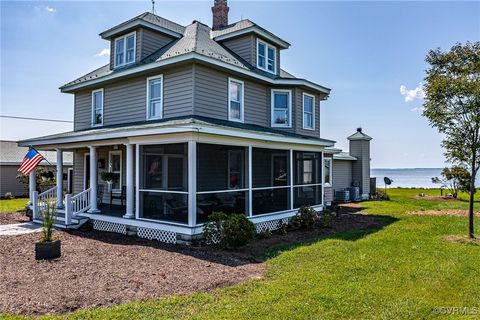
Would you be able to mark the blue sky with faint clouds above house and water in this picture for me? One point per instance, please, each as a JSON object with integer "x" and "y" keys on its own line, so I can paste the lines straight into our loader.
{"x": 371, "y": 54}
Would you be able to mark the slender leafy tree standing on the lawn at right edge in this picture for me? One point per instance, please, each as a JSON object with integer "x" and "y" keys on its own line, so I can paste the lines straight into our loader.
{"x": 452, "y": 105}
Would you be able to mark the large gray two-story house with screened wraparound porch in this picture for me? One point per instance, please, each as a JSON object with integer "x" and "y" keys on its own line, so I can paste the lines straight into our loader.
{"x": 193, "y": 120}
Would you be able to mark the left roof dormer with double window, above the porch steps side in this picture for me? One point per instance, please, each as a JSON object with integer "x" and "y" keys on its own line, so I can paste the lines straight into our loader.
{"x": 136, "y": 39}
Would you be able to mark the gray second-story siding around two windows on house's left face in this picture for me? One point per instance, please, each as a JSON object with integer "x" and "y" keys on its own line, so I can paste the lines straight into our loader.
{"x": 125, "y": 101}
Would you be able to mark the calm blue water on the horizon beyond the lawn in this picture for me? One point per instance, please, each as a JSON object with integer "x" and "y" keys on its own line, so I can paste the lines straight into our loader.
{"x": 416, "y": 177}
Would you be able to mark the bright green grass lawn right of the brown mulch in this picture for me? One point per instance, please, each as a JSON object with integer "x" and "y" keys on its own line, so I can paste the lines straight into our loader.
{"x": 403, "y": 270}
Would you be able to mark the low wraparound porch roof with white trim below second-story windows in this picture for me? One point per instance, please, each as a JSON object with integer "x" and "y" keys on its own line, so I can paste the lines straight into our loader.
{"x": 193, "y": 124}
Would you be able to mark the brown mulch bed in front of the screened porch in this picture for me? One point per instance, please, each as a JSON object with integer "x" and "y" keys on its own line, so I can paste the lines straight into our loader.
{"x": 102, "y": 269}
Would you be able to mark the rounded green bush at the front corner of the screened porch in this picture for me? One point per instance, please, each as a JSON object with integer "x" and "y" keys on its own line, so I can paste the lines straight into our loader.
{"x": 229, "y": 230}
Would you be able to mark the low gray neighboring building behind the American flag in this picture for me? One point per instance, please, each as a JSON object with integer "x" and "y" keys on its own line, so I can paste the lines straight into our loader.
{"x": 11, "y": 156}
